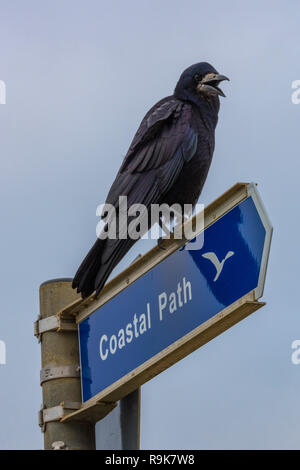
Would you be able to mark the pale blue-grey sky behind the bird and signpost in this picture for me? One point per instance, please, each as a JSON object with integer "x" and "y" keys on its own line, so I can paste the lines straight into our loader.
{"x": 80, "y": 76}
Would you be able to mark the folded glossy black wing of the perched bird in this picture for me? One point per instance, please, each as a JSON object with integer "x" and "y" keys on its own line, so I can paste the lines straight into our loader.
{"x": 164, "y": 141}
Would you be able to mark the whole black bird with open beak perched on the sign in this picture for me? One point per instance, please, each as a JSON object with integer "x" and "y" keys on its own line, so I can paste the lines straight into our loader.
{"x": 167, "y": 162}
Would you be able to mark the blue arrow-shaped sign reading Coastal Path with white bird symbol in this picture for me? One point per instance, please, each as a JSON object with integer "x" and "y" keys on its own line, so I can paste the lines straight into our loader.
{"x": 176, "y": 297}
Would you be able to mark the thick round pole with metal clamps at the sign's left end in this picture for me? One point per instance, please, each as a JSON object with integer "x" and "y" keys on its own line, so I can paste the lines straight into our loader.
{"x": 60, "y": 378}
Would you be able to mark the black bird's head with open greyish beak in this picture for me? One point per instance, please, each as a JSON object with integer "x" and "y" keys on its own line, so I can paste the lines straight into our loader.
{"x": 201, "y": 80}
